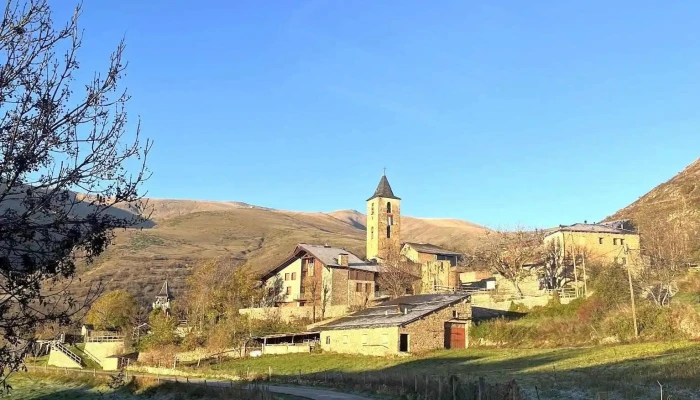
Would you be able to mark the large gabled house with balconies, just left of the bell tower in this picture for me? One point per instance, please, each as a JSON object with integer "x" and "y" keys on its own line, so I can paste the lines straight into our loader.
{"x": 322, "y": 276}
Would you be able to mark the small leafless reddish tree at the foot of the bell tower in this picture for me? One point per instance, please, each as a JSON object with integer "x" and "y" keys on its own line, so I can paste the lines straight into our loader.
{"x": 397, "y": 274}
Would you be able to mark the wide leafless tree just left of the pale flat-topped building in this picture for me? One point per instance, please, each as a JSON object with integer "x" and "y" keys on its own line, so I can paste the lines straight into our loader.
{"x": 511, "y": 253}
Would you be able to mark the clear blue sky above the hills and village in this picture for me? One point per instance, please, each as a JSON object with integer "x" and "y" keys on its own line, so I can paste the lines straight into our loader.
{"x": 501, "y": 113}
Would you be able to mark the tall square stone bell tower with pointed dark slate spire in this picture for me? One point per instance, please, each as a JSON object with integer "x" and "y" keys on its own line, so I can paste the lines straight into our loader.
{"x": 383, "y": 222}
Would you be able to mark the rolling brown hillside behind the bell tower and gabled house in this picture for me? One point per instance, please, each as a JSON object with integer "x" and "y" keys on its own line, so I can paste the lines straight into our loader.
{"x": 188, "y": 231}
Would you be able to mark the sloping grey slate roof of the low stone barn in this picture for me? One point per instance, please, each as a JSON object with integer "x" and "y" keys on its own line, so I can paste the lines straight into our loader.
{"x": 389, "y": 314}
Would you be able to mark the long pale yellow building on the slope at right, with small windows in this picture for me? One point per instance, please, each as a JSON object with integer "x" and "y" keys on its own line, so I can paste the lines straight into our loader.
{"x": 614, "y": 242}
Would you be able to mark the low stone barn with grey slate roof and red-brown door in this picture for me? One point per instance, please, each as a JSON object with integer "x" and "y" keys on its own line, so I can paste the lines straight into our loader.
{"x": 410, "y": 324}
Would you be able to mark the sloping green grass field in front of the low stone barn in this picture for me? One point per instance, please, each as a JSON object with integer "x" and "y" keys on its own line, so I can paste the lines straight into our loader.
{"x": 630, "y": 371}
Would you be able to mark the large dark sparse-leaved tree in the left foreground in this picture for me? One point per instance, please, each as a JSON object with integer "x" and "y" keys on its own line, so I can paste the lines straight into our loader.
{"x": 57, "y": 138}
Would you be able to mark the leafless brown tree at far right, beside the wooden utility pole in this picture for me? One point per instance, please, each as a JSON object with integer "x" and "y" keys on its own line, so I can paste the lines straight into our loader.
{"x": 666, "y": 254}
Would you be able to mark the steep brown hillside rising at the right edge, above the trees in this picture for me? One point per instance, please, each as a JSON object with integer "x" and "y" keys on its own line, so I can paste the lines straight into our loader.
{"x": 678, "y": 197}
